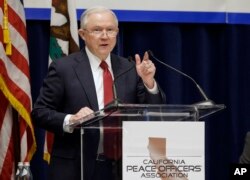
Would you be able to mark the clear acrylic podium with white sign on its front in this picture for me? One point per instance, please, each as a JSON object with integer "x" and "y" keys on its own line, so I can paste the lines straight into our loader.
{"x": 156, "y": 117}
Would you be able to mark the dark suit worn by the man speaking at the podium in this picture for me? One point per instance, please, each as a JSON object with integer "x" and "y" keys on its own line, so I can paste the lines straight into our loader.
{"x": 68, "y": 87}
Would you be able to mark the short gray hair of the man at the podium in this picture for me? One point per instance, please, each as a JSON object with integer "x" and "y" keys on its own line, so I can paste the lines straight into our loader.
{"x": 99, "y": 9}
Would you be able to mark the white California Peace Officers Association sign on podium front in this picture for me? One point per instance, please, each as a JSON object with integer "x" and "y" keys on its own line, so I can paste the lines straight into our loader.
{"x": 163, "y": 150}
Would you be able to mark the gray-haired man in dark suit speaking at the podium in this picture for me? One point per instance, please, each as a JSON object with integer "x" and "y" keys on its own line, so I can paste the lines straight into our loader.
{"x": 74, "y": 88}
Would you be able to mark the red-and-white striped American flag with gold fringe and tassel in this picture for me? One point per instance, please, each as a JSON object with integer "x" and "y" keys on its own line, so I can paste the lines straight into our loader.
{"x": 15, "y": 93}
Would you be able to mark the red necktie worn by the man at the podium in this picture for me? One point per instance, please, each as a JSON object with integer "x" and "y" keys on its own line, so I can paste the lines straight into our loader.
{"x": 112, "y": 136}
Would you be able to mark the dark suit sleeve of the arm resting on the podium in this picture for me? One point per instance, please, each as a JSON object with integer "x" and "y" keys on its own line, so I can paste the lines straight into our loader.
{"x": 47, "y": 108}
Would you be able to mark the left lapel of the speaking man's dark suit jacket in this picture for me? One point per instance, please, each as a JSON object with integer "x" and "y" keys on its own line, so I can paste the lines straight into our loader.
{"x": 85, "y": 76}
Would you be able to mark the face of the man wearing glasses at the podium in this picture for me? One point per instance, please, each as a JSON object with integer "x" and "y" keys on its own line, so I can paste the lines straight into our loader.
{"x": 99, "y": 44}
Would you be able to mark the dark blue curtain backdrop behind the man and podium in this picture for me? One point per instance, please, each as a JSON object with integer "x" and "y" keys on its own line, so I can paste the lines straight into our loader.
{"x": 217, "y": 56}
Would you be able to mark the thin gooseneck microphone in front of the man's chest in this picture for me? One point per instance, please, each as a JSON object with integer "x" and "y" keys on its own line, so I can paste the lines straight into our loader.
{"x": 116, "y": 101}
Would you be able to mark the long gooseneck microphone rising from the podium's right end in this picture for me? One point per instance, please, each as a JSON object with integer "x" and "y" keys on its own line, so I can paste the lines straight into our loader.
{"x": 206, "y": 102}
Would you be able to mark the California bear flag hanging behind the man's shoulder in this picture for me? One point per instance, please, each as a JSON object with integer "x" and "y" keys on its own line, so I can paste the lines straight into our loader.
{"x": 63, "y": 41}
